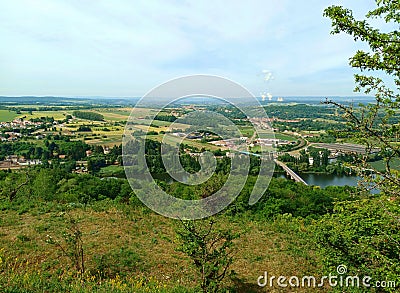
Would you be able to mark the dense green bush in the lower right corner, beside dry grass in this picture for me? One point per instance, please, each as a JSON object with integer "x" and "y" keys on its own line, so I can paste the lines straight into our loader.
{"x": 363, "y": 235}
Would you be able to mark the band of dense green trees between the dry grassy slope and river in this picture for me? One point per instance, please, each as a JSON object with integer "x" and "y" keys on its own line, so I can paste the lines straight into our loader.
{"x": 54, "y": 182}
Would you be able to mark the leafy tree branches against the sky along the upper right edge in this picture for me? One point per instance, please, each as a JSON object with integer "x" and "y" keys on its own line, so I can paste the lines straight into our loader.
{"x": 376, "y": 125}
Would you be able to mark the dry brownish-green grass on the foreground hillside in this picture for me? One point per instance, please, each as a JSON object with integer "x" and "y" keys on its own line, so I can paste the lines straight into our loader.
{"x": 133, "y": 249}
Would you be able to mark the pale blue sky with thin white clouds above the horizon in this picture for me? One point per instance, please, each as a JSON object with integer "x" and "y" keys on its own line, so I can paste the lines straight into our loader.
{"x": 124, "y": 48}
